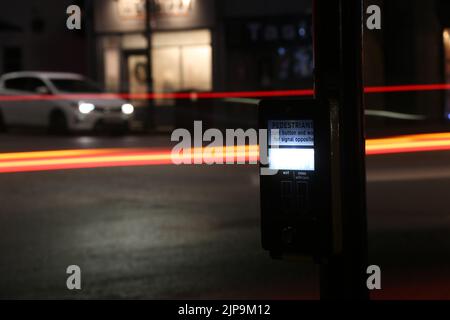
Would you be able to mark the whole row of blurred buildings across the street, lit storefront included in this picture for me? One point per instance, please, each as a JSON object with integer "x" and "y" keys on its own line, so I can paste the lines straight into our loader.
{"x": 226, "y": 45}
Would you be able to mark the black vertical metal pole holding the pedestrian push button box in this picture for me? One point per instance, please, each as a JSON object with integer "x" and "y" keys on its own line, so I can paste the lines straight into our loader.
{"x": 338, "y": 28}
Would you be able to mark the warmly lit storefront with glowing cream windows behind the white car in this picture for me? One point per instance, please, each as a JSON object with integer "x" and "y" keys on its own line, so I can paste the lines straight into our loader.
{"x": 180, "y": 37}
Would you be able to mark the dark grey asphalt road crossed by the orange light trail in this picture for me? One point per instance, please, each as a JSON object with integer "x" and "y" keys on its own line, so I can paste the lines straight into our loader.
{"x": 193, "y": 231}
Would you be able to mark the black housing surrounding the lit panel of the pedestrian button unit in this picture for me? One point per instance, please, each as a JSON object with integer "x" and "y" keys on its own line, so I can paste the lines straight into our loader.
{"x": 296, "y": 208}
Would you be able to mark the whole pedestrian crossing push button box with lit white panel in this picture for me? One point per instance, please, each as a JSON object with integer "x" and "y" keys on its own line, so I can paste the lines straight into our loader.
{"x": 296, "y": 208}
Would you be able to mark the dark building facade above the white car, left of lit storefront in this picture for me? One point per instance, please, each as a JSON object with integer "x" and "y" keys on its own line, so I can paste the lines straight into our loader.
{"x": 34, "y": 36}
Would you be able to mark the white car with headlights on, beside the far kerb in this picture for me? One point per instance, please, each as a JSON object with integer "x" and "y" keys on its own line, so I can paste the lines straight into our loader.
{"x": 39, "y": 103}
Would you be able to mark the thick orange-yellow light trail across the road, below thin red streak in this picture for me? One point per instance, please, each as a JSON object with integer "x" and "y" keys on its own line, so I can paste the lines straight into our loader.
{"x": 104, "y": 158}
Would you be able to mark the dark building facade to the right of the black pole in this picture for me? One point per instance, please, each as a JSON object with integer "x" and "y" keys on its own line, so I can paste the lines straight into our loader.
{"x": 410, "y": 49}
